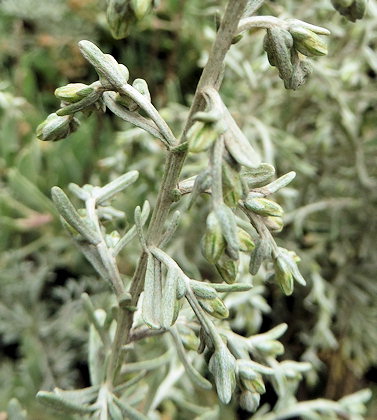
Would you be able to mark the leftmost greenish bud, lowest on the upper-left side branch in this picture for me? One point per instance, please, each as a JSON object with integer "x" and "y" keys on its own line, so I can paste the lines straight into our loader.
{"x": 55, "y": 128}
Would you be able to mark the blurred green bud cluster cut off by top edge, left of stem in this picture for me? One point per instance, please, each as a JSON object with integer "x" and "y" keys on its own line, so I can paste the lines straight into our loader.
{"x": 121, "y": 14}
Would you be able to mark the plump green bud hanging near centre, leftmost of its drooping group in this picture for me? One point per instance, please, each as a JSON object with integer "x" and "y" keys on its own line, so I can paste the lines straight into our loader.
{"x": 213, "y": 243}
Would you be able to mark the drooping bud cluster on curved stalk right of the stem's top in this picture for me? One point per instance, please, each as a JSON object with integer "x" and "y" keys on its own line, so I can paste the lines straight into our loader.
{"x": 286, "y": 49}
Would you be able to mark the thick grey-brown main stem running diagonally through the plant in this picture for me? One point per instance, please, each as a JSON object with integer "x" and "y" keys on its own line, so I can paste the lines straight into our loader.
{"x": 211, "y": 76}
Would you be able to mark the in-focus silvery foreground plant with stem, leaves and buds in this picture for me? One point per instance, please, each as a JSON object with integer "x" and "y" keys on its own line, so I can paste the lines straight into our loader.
{"x": 187, "y": 314}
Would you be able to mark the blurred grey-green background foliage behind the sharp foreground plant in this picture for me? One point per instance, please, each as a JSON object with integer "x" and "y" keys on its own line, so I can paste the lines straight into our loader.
{"x": 326, "y": 132}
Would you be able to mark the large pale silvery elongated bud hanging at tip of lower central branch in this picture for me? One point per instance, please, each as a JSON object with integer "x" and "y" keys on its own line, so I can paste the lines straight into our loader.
{"x": 222, "y": 366}
